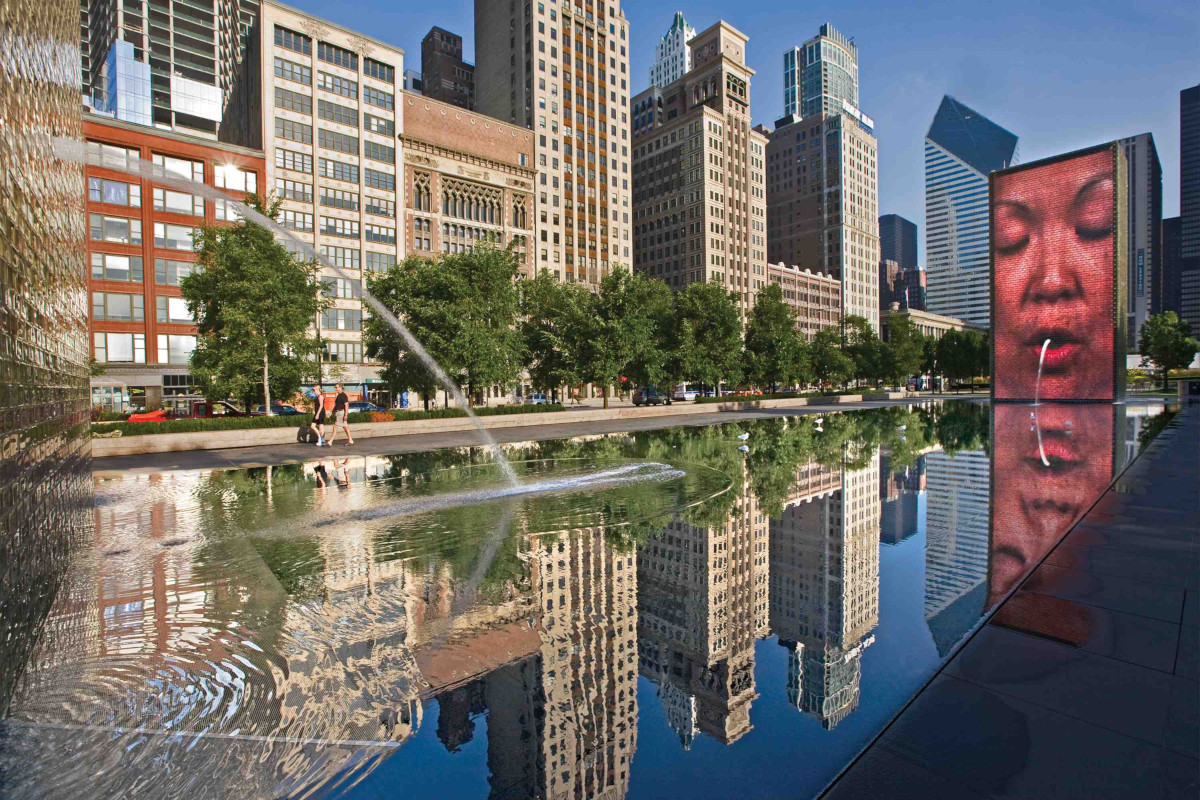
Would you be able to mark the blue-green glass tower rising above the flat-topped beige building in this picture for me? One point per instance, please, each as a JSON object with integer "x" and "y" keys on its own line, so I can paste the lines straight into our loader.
{"x": 821, "y": 75}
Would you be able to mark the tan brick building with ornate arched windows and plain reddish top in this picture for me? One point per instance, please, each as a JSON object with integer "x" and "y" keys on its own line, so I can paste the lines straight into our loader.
{"x": 466, "y": 178}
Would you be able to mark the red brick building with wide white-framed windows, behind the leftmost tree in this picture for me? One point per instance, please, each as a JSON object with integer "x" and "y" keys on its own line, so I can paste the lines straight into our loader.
{"x": 140, "y": 245}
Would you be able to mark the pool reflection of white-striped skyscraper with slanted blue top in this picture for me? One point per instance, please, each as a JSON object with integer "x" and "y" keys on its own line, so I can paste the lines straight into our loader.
{"x": 957, "y": 544}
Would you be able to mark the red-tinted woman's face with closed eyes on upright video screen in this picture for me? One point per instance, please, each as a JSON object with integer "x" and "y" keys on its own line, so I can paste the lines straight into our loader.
{"x": 1054, "y": 280}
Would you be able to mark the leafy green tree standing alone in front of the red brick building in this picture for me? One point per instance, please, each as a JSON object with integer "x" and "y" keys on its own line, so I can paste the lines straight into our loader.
{"x": 254, "y": 304}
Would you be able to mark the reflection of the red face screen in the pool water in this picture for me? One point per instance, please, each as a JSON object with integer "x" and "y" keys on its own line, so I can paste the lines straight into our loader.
{"x": 1051, "y": 464}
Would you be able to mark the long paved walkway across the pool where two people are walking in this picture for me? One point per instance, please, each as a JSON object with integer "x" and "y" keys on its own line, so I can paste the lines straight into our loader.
{"x": 281, "y": 454}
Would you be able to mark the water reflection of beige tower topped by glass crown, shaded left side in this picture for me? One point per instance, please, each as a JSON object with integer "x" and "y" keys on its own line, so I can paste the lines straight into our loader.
{"x": 825, "y": 568}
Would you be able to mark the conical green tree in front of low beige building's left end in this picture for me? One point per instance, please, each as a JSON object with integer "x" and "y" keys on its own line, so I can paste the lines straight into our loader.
{"x": 776, "y": 353}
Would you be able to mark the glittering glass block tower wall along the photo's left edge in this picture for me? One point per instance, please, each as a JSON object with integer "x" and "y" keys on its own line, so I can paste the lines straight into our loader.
{"x": 45, "y": 449}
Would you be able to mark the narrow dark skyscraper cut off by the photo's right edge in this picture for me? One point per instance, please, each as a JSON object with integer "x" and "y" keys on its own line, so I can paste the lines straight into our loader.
{"x": 1190, "y": 208}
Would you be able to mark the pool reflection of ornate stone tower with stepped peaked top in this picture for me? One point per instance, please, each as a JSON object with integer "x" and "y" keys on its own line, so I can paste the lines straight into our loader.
{"x": 703, "y": 603}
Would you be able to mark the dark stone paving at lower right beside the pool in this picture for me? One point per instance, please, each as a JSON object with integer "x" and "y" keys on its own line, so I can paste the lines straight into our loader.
{"x": 1084, "y": 684}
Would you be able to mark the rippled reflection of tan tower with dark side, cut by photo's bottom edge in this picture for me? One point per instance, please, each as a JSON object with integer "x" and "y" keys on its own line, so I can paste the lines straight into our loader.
{"x": 562, "y": 721}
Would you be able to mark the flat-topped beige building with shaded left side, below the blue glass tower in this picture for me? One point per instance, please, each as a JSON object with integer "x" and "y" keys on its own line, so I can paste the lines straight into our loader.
{"x": 823, "y": 200}
